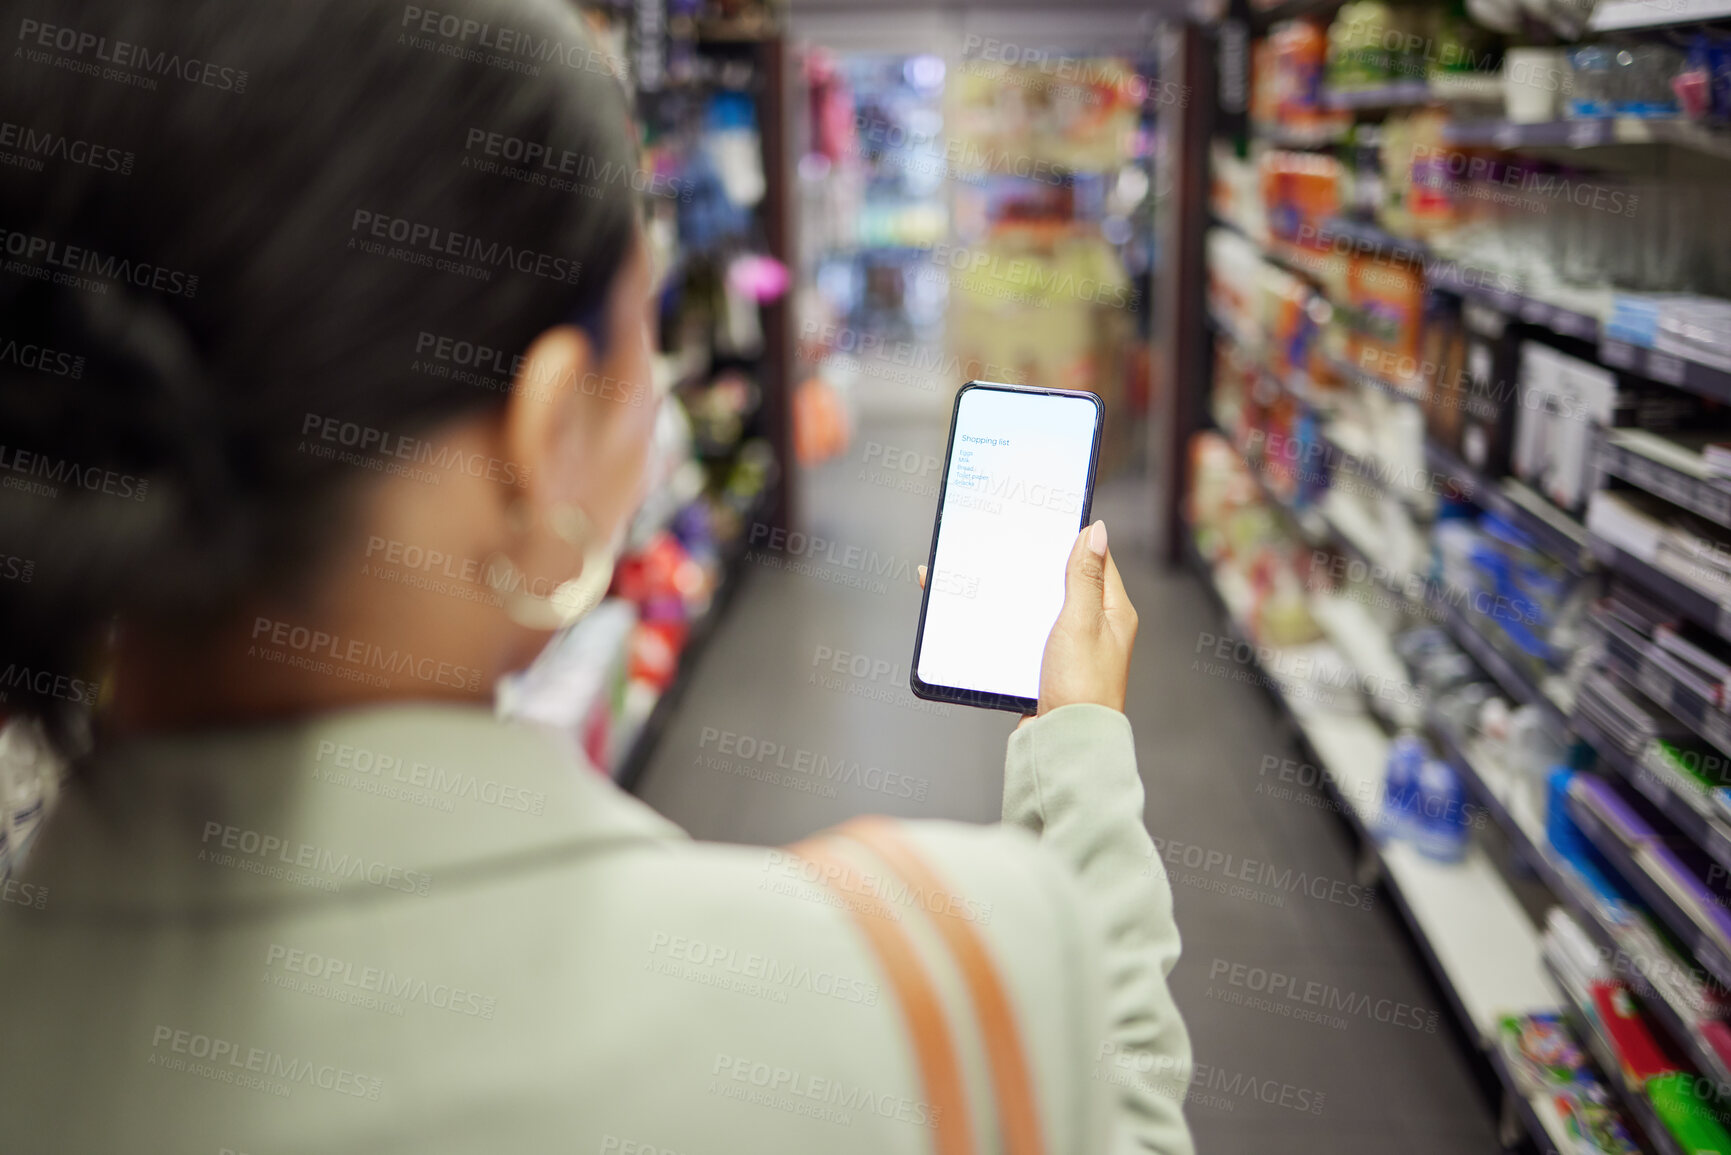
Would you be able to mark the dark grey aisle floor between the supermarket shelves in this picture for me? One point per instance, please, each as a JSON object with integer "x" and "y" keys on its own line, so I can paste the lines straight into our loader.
{"x": 1374, "y": 1083}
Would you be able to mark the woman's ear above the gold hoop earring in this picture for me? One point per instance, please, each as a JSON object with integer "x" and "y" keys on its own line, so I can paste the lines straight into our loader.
{"x": 543, "y": 418}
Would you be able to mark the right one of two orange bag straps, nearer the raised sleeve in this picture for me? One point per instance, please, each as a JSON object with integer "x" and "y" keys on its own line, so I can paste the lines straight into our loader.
{"x": 1012, "y": 1085}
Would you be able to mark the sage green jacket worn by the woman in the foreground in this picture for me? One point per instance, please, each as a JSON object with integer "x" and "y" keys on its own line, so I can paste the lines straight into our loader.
{"x": 420, "y": 929}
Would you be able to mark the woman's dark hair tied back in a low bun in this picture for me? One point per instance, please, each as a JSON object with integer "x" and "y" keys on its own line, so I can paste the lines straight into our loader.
{"x": 188, "y": 198}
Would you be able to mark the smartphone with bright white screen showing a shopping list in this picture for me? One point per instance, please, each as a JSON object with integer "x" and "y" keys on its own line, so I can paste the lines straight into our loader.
{"x": 1019, "y": 484}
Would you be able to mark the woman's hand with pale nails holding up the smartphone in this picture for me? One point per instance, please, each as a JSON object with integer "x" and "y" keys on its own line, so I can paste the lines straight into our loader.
{"x": 1088, "y": 654}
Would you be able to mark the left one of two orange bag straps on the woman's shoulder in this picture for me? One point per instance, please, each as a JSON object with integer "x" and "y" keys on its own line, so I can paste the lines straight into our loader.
{"x": 920, "y": 1003}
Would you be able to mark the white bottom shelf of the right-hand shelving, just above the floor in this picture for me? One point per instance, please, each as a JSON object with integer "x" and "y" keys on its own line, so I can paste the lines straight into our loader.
{"x": 1469, "y": 924}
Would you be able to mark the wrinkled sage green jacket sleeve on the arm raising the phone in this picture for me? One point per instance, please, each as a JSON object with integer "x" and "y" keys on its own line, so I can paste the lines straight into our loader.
{"x": 1071, "y": 778}
